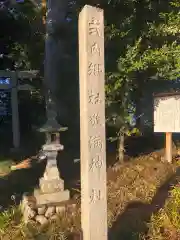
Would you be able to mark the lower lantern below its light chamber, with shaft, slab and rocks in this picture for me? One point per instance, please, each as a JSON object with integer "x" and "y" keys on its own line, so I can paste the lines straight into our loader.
{"x": 45, "y": 202}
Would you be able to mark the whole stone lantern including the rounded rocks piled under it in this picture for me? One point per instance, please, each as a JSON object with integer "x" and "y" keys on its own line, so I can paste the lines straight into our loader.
{"x": 46, "y": 200}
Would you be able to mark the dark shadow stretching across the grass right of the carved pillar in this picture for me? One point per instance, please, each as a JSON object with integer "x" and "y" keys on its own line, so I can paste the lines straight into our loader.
{"x": 133, "y": 221}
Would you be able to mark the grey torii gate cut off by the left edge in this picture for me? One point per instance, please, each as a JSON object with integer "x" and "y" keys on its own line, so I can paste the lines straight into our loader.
{"x": 13, "y": 86}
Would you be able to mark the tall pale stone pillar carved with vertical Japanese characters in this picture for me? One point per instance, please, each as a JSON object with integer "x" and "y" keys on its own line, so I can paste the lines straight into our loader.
{"x": 92, "y": 111}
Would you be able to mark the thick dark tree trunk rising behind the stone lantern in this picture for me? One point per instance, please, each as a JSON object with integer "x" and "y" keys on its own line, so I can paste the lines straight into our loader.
{"x": 54, "y": 52}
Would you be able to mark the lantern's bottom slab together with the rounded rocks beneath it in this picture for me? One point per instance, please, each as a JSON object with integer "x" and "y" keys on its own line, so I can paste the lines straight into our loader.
{"x": 41, "y": 207}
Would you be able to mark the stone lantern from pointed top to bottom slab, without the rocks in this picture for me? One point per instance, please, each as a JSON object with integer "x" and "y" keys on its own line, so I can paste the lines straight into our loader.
{"x": 51, "y": 185}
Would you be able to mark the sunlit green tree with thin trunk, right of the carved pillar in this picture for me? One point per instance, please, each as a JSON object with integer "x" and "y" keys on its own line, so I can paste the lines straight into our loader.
{"x": 149, "y": 35}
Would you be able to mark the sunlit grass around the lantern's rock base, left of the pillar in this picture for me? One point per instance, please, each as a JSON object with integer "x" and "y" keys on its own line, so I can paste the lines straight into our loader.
{"x": 13, "y": 228}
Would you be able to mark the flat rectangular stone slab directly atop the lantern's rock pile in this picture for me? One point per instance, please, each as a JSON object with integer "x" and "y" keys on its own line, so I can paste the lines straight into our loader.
{"x": 51, "y": 198}
